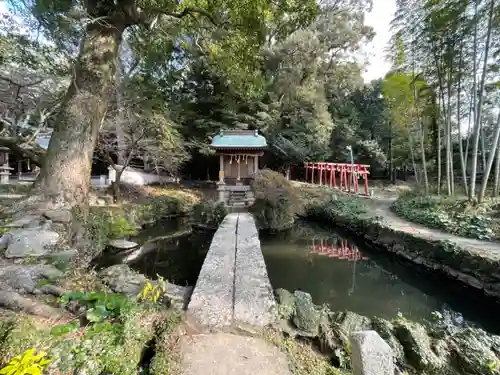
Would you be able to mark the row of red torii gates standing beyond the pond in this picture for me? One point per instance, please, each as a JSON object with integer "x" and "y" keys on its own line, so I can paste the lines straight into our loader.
{"x": 327, "y": 175}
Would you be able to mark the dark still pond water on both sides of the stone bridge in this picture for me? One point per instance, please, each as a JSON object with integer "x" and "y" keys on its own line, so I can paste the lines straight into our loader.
{"x": 329, "y": 266}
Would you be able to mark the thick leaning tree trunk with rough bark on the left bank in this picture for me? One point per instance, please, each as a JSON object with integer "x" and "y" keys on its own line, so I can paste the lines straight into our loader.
{"x": 65, "y": 176}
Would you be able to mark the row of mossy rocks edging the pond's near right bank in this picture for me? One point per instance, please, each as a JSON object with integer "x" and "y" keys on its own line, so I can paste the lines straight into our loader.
{"x": 421, "y": 349}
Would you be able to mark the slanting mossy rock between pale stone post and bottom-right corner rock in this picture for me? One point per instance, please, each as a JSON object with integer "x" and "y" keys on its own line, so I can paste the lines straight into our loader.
{"x": 417, "y": 346}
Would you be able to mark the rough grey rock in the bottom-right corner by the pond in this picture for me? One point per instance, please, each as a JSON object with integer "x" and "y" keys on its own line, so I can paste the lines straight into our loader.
{"x": 472, "y": 351}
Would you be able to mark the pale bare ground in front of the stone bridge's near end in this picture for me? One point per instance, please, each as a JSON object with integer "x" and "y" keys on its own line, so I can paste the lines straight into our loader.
{"x": 228, "y": 354}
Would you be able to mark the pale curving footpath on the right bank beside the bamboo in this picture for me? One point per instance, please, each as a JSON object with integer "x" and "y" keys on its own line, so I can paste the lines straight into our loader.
{"x": 381, "y": 207}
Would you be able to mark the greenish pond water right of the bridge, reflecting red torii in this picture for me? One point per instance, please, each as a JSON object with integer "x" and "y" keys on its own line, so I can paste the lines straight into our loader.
{"x": 337, "y": 272}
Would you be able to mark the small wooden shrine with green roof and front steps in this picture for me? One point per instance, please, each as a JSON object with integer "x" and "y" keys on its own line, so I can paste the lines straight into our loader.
{"x": 238, "y": 152}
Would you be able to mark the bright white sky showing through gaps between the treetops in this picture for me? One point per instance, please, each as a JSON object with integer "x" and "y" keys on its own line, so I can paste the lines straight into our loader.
{"x": 379, "y": 18}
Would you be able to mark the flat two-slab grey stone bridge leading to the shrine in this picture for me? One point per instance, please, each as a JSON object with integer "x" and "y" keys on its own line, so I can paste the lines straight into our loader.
{"x": 233, "y": 288}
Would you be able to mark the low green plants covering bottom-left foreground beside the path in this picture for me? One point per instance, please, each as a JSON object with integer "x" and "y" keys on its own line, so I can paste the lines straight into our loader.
{"x": 112, "y": 343}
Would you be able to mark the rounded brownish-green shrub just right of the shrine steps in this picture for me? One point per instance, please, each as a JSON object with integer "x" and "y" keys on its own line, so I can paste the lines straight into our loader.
{"x": 276, "y": 201}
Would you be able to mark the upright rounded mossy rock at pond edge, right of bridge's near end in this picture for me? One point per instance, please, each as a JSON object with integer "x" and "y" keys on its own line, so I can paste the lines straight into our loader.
{"x": 307, "y": 316}
